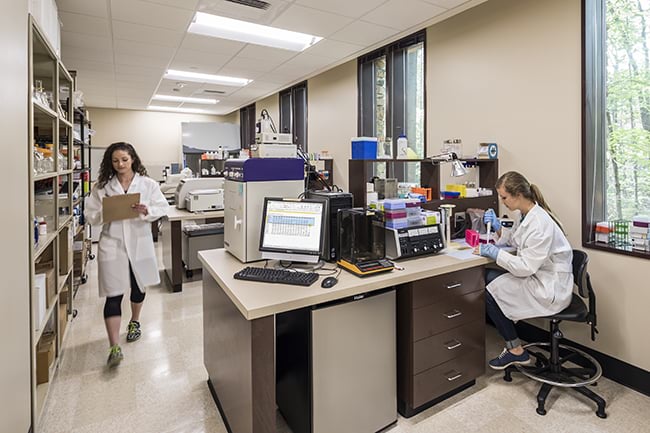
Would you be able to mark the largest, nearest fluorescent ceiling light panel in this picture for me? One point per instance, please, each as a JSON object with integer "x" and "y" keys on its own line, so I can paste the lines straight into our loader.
{"x": 243, "y": 31}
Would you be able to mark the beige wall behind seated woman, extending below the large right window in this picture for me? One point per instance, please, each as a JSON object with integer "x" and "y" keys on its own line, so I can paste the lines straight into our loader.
{"x": 509, "y": 71}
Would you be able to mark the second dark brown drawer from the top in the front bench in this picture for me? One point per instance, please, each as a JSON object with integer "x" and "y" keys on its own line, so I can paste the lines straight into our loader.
{"x": 451, "y": 313}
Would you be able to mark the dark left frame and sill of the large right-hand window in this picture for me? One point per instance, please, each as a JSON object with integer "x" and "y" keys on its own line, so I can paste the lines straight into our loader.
{"x": 594, "y": 133}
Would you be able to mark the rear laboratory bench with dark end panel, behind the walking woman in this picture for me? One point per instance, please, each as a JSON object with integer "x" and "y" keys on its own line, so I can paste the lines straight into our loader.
{"x": 171, "y": 232}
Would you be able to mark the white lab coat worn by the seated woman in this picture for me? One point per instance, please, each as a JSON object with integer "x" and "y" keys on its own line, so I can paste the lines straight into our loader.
{"x": 539, "y": 281}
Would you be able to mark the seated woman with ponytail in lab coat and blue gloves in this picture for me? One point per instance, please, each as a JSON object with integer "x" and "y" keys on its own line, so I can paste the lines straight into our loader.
{"x": 538, "y": 280}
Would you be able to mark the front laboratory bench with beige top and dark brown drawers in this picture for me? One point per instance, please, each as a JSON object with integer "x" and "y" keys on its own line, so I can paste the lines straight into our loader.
{"x": 439, "y": 328}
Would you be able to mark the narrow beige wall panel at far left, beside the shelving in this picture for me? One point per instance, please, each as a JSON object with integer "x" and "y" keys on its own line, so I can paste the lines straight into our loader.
{"x": 15, "y": 379}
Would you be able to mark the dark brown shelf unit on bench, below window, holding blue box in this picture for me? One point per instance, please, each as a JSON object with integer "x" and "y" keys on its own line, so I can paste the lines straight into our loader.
{"x": 362, "y": 170}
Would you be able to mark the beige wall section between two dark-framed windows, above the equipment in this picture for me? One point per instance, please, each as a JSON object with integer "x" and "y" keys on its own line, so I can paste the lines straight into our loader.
{"x": 332, "y": 116}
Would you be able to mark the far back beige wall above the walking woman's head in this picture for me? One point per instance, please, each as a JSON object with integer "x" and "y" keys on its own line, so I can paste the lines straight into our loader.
{"x": 155, "y": 135}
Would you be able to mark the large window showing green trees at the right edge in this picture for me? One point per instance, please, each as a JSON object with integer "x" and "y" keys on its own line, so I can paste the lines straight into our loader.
{"x": 616, "y": 124}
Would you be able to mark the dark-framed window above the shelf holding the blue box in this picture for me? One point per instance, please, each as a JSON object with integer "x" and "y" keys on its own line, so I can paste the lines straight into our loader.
{"x": 391, "y": 102}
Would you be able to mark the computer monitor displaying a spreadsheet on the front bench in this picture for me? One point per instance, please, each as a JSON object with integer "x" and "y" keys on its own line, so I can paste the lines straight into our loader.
{"x": 292, "y": 229}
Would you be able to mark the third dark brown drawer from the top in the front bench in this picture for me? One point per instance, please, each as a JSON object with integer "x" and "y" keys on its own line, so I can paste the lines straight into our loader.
{"x": 448, "y": 345}
